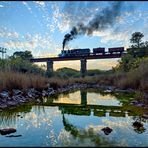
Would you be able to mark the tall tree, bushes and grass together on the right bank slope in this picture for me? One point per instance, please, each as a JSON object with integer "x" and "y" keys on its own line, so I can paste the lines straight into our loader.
{"x": 132, "y": 70}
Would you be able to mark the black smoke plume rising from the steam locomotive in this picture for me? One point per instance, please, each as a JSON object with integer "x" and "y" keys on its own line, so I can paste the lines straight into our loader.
{"x": 100, "y": 21}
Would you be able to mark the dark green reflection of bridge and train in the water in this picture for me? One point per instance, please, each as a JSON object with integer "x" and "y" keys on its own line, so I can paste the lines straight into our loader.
{"x": 98, "y": 110}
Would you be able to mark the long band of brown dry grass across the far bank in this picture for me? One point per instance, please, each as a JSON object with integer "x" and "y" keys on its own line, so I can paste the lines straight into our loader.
{"x": 136, "y": 79}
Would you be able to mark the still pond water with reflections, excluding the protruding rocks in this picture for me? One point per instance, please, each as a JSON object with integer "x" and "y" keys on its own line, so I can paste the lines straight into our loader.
{"x": 76, "y": 119}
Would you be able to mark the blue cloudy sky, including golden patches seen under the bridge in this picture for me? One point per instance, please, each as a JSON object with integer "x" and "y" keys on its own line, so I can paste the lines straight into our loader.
{"x": 40, "y": 27}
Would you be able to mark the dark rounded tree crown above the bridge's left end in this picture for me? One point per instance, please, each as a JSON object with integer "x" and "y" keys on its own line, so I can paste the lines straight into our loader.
{"x": 24, "y": 55}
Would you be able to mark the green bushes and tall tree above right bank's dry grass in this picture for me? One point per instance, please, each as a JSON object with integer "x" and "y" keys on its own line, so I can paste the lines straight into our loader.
{"x": 135, "y": 54}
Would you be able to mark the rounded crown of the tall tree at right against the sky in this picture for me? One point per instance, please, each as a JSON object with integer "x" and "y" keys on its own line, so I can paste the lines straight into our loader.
{"x": 137, "y": 39}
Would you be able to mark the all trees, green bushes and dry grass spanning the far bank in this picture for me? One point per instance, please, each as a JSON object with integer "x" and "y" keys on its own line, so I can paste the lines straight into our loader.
{"x": 131, "y": 72}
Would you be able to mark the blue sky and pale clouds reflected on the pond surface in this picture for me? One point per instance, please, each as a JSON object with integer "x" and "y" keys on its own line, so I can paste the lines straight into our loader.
{"x": 44, "y": 126}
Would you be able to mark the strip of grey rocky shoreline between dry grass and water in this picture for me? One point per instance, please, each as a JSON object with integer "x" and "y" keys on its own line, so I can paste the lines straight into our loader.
{"x": 16, "y": 98}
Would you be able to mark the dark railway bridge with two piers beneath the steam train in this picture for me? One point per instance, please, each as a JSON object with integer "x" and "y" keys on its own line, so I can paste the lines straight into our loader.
{"x": 83, "y": 60}
